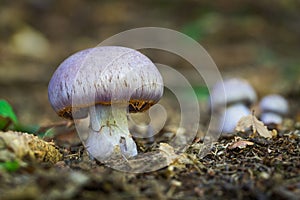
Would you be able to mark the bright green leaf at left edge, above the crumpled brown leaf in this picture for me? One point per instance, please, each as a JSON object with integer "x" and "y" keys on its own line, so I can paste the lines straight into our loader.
{"x": 7, "y": 114}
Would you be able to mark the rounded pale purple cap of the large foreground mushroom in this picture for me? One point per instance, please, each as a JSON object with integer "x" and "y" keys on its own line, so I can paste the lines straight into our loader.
{"x": 104, "y": 75}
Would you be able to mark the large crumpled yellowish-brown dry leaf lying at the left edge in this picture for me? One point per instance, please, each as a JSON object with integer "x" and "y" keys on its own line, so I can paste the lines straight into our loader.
{"x": 17, "y": 145}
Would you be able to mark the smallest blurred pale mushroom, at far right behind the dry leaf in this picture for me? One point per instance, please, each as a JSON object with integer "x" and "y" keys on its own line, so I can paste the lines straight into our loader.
{"x": 273, "y": 107}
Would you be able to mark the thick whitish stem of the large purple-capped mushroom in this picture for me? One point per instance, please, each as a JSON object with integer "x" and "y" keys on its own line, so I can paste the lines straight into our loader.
{"x": 108, "y": 130}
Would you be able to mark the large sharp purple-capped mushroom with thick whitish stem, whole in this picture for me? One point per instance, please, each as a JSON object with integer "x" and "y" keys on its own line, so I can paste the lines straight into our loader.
{"x": 105, "y": 83}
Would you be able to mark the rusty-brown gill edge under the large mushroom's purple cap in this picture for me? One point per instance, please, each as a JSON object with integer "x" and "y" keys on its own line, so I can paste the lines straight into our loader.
{"x": 134, "y": 106}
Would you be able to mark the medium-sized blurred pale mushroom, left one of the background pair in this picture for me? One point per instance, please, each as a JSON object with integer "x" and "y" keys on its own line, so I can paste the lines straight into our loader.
{"x": 239, "y": 96}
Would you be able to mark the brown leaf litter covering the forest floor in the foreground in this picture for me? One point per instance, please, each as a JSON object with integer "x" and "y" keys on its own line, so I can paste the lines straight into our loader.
{"x": 236, "y": 167}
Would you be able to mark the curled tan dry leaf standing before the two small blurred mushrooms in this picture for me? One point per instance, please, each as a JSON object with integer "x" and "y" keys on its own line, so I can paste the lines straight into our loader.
{"x": 257, "y": 126}
